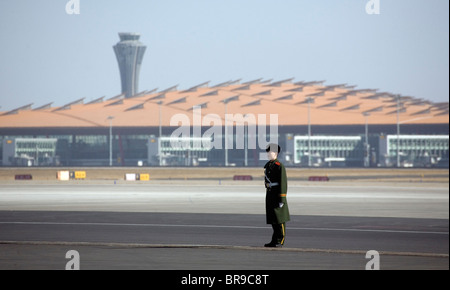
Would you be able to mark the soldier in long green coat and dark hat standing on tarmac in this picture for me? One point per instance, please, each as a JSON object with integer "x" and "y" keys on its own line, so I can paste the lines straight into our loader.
{"x": 277, "y": 211}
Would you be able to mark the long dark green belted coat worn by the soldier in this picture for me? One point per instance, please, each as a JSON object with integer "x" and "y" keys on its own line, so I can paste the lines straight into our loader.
{"x": 276, "y": 190}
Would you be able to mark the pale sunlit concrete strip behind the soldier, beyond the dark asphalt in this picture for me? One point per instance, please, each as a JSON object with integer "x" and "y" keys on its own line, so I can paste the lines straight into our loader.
{"x": 372, "y": 200}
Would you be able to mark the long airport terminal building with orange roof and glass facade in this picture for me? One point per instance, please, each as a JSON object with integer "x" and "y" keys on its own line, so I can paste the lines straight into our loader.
{"x": 229, "y": 124}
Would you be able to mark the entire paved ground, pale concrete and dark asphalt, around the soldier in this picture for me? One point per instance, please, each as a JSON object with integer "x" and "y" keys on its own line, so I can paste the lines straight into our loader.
{"x": 193, "y": 226}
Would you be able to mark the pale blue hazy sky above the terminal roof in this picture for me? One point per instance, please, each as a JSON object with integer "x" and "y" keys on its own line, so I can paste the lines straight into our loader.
{"x": 48, "y": 55}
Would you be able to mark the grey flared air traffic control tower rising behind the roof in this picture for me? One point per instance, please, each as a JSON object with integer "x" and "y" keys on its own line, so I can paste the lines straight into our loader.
{"x": 129, "y": 52}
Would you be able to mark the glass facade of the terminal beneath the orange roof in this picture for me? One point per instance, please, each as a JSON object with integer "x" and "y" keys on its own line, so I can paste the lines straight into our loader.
{"x": 134, "y": 149}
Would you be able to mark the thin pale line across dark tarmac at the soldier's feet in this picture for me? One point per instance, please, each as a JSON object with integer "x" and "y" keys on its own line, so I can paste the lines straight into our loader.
{"x": 218, "y": 247}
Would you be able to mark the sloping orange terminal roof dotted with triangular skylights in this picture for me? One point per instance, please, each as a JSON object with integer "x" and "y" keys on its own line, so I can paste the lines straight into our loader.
{"x": 332, "y": 105}
